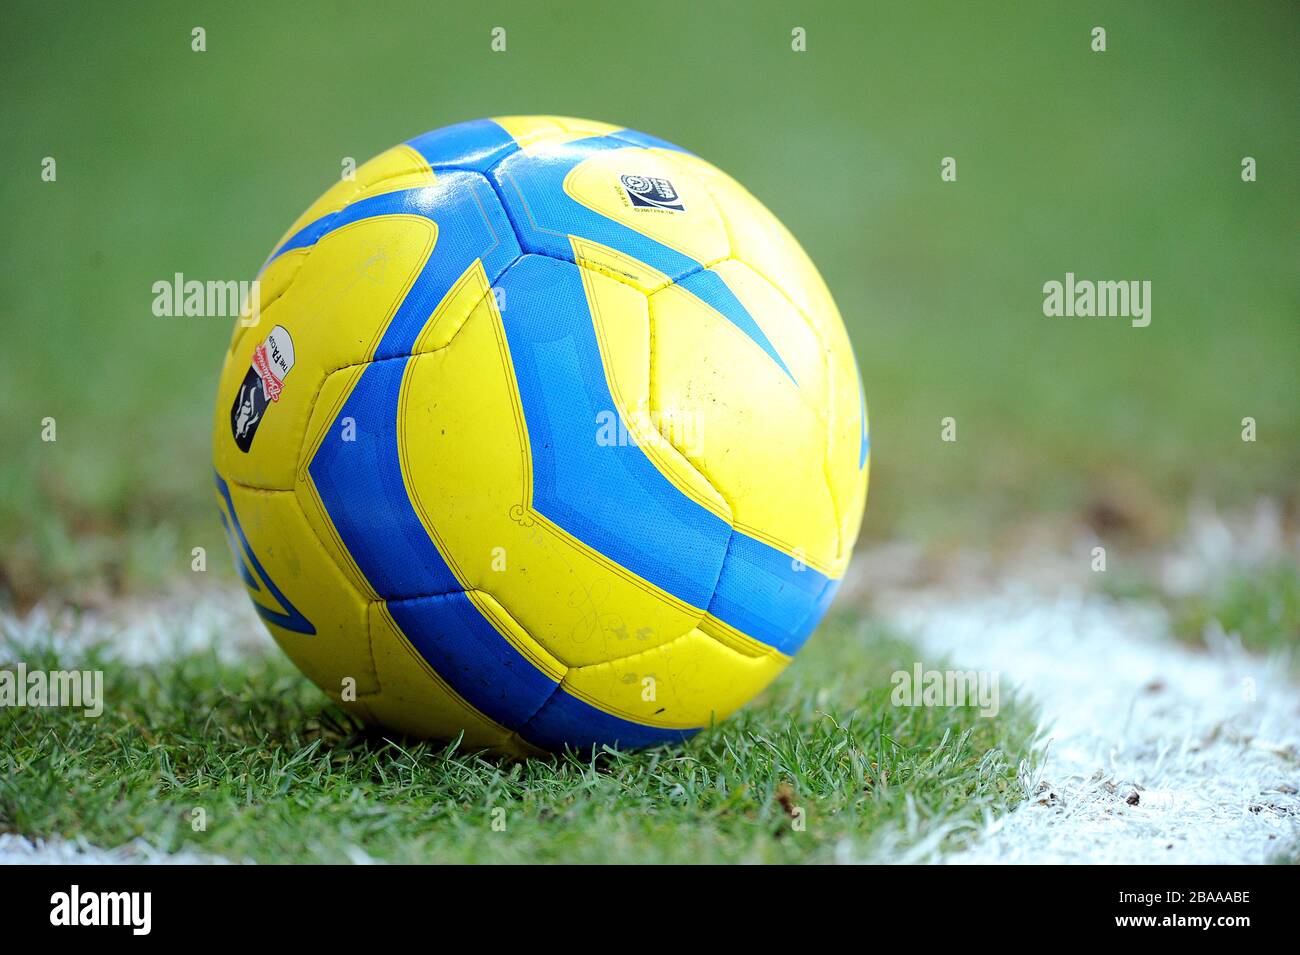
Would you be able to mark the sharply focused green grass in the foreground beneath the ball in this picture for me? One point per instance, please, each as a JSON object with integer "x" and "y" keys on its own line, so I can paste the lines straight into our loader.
{"x": 284, "y": 776}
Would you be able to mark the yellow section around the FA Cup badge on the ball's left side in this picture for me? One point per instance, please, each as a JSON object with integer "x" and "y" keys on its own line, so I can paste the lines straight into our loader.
{"x": 335, "y": 312}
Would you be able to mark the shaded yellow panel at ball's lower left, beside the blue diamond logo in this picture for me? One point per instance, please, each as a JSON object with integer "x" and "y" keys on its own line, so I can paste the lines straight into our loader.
{"x": 300, "y": 567}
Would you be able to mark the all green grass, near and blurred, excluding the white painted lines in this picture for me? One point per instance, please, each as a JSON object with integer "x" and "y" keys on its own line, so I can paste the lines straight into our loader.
{"x": 1095, "y": 164}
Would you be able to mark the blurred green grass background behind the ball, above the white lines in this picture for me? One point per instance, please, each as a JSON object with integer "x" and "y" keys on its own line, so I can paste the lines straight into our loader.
{"x": 1117, "y": 166}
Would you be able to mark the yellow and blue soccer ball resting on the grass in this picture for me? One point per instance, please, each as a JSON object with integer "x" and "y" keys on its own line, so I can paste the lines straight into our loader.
{"x": 543, "y": 432}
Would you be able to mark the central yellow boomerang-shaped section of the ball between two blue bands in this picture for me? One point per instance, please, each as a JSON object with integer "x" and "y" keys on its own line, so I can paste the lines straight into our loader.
{"x": 469, "y": 471}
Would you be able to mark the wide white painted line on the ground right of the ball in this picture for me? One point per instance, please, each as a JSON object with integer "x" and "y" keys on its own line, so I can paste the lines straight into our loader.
{"x": 1159, "y": 753}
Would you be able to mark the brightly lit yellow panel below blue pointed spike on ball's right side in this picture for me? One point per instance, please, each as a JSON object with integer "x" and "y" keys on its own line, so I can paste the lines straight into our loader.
{"x": 762, "y": 445}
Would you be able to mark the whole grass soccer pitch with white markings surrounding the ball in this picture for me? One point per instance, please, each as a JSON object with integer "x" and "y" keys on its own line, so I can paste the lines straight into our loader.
{"x": 1068, "y": 279}
